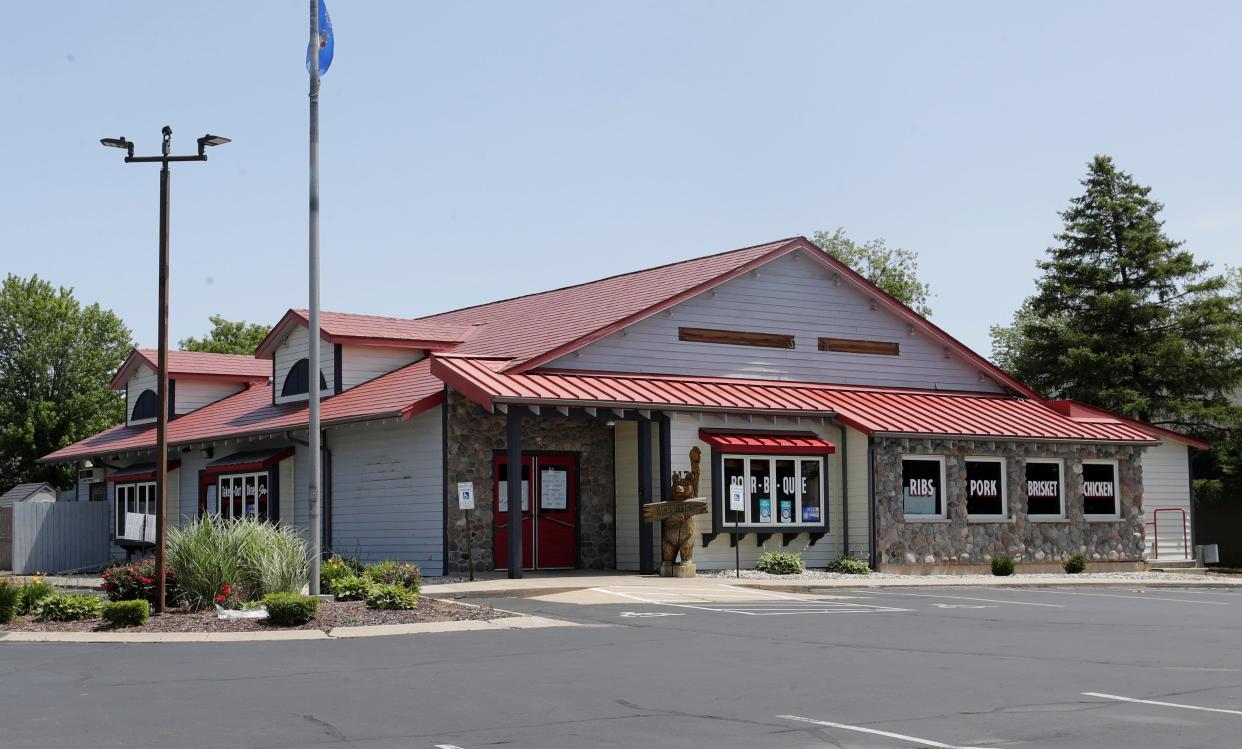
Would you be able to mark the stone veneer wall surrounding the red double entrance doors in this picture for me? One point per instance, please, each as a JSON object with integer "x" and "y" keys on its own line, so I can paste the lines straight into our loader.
{"x": 474, "y": 439}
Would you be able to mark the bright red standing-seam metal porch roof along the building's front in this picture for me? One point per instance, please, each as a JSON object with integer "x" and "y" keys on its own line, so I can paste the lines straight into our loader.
{"x": 873, "y": 411}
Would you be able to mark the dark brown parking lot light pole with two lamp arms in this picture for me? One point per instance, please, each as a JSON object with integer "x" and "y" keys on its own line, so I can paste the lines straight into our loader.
{"x": 165, "y": 160}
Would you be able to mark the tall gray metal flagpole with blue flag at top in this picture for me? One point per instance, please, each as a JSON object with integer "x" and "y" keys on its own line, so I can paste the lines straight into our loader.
{"x": 314, "y": 370}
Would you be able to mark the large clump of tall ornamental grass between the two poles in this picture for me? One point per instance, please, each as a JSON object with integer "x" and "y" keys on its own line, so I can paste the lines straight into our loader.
{"x": 247, "y": 558}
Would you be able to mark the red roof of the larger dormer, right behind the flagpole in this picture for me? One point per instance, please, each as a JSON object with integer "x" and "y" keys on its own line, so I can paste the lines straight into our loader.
{"x": 369, "y": 330}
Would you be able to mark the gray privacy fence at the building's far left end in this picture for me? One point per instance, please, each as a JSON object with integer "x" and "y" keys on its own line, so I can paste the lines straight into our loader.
{"x": 57, "y": 537}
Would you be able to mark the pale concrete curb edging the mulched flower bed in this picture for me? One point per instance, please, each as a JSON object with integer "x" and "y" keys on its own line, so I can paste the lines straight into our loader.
{"x": 511, "y": 623}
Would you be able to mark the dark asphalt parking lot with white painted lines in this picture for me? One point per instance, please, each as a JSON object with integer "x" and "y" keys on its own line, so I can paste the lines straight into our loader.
{"x": 705, "y": 666}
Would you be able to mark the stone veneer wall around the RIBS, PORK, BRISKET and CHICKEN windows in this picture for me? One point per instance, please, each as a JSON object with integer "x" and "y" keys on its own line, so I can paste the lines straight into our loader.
{"x": 956, "y": 541}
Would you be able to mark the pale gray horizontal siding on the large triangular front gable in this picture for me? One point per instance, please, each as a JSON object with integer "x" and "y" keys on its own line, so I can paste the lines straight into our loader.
{"x": 792, "y": 296}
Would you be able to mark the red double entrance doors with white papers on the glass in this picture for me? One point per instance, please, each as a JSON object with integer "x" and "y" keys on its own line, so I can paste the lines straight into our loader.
{"x": 550, "y": 531}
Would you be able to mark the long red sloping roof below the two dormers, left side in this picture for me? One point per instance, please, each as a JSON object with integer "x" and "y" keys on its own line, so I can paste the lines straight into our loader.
{"x": 403, "y": 394}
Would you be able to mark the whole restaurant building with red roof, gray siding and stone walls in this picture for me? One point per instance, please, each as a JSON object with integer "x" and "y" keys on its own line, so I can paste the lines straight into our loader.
{"x": 854, "y": 427}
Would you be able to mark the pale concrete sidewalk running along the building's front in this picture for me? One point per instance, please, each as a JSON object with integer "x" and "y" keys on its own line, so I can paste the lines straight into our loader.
{"x": 540, "y": 584}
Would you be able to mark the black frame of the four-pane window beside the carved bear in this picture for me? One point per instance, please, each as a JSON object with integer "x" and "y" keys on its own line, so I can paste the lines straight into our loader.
{"x": 720, "y": 495}
